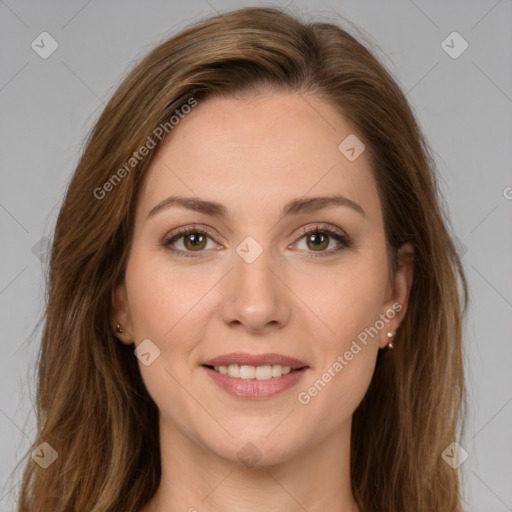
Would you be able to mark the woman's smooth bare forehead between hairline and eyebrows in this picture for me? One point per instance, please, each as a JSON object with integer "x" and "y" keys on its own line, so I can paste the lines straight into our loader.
{"x": 255, "y": 154}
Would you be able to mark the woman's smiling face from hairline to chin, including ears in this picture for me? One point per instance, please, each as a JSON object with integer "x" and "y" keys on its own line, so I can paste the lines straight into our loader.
{"x": 267, "y": 271}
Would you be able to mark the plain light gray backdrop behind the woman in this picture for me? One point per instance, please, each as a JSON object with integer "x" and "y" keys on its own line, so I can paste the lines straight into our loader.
{"x": 464, "y": 106}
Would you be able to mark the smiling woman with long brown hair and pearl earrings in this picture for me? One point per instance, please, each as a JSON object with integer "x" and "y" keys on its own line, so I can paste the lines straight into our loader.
{"x": 253, "y": 294}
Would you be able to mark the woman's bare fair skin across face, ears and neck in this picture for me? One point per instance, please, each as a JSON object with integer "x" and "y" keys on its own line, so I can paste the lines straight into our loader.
{"x": 253, "y": 155}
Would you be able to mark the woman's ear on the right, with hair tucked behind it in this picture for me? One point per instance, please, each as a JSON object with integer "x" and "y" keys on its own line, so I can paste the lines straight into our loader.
{"x": 397, "y": 292}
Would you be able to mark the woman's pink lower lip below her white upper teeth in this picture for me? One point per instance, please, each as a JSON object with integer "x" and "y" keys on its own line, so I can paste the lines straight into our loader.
{"x": 253, "y": 388}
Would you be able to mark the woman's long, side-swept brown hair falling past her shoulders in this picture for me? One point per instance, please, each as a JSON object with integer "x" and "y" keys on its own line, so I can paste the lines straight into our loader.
{"x": 92, "y": 406}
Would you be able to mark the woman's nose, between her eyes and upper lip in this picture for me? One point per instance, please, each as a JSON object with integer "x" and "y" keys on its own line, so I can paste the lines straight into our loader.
{"x": 255, "y": 296}
